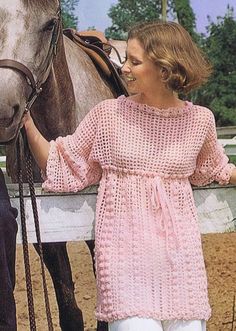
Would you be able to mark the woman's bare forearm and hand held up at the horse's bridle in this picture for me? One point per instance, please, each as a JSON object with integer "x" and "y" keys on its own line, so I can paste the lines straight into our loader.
{"x": 39, "y": 146}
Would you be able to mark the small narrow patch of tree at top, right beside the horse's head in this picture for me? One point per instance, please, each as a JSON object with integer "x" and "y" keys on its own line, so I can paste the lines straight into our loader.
{"x": 69, "y": 20}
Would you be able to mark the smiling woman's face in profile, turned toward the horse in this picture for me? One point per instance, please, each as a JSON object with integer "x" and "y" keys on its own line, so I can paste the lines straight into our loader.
{"x": 140, "y": 73}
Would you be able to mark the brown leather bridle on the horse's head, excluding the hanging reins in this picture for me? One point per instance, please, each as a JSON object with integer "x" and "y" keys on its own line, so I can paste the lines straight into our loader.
{"x": 36, "y": 86}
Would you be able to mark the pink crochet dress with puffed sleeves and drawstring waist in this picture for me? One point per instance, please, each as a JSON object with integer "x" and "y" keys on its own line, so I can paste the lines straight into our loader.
{"x": 148, "y": 248}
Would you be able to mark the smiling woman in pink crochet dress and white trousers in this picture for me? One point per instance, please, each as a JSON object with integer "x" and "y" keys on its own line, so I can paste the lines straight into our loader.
{"x": 145, "y": 150}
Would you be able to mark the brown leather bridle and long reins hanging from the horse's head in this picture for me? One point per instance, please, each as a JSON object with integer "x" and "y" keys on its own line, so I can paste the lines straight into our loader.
{"x": 36, "y": 87}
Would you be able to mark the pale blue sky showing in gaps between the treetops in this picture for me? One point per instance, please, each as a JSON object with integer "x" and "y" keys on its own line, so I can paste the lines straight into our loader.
{"x": 94, "y": 12}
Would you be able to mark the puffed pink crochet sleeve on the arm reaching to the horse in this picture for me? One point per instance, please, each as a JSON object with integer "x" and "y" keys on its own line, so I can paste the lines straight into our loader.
{"x": 70, "y": 167}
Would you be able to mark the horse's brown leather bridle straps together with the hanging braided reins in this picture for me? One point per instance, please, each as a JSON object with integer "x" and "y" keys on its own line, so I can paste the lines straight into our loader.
{"x": 36, "y": 89}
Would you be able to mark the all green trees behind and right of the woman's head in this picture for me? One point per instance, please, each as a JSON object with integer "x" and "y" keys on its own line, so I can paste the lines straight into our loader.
{"x": 219, "y": 45}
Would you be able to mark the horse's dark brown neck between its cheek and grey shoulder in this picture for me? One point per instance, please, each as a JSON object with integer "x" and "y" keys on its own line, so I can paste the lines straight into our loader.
{"x": 54, "y": 112}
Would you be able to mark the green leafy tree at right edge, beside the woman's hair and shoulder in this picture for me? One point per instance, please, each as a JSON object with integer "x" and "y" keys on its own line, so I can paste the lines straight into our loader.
{"x": 219, "y": 93}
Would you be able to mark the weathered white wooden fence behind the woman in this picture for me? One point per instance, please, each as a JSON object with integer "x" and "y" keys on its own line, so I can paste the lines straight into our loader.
{"x": 71, "y": 217}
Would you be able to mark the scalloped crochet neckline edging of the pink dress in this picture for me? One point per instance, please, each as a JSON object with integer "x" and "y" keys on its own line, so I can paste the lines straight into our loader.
{"x": 165, "y": 112}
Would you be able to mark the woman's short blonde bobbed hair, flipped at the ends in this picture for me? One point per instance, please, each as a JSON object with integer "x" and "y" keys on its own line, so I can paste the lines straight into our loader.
{"x": 170, "y": 46}
